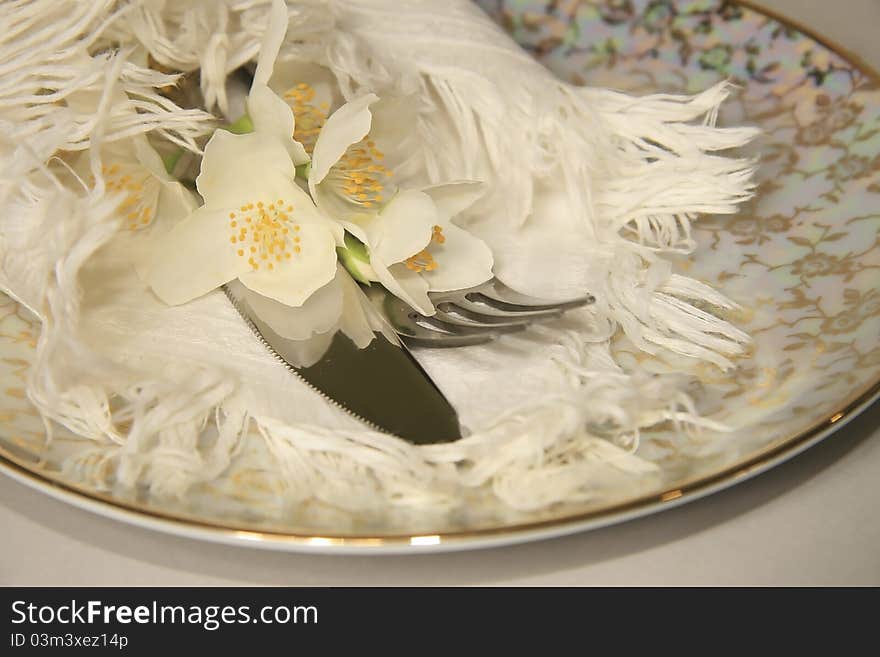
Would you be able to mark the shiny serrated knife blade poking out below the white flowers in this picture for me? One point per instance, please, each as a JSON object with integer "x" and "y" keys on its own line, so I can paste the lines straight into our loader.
{"x": 382, "y": 385}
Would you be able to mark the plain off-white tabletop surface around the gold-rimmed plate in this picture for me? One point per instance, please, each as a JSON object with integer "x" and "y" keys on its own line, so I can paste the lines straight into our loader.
{"x": 814, "y": 520}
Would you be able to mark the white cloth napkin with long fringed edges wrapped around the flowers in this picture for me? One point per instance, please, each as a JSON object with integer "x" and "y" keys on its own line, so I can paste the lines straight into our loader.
{"x": 588, "y": 189}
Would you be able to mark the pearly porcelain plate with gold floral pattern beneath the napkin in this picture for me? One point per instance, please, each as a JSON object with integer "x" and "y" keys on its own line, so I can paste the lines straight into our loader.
{"x": 802, "y": 259}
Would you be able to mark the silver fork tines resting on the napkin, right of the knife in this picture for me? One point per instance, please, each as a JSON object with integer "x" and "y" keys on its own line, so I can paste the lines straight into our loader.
{"x": 468, "y": 317}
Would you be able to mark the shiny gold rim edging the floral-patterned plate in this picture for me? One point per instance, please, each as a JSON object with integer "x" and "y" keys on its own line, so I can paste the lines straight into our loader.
{"x": 566, "y": 524}
